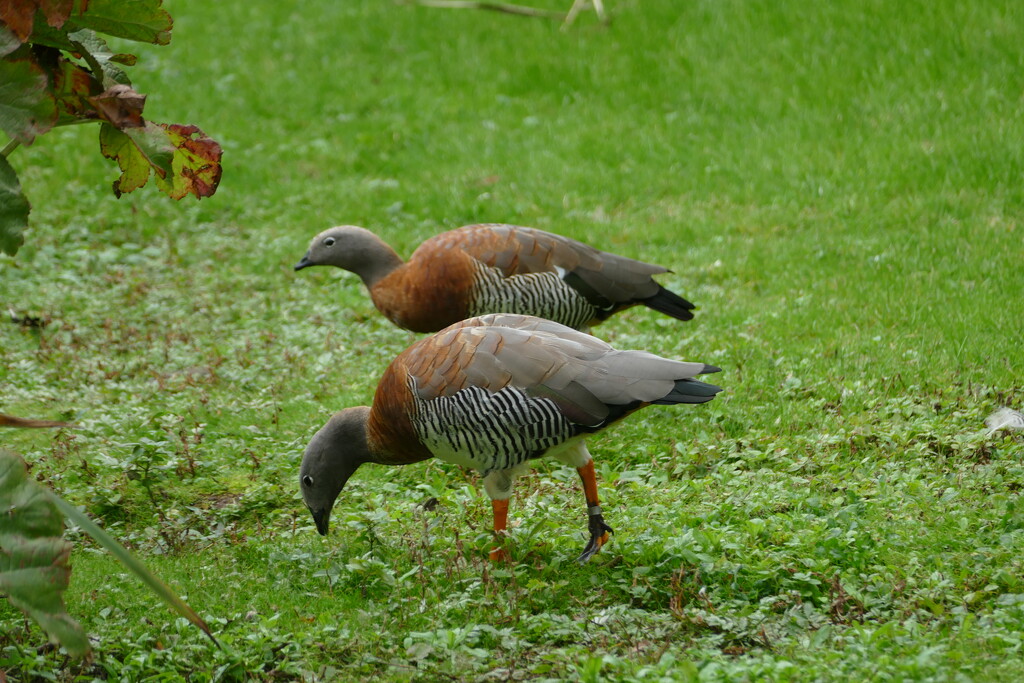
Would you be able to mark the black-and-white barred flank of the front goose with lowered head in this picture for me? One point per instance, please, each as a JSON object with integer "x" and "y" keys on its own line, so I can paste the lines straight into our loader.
{"x": 490, "y": 432}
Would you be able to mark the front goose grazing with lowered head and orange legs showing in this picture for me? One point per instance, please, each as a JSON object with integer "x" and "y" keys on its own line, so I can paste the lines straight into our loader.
{"x": 491, "y": 394}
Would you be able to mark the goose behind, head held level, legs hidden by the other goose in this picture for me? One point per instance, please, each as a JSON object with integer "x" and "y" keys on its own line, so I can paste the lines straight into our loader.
{"x": 494, "y": 269}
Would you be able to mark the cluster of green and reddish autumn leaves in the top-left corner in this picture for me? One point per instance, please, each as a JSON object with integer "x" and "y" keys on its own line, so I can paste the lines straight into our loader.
{"x": 57, "y": 70}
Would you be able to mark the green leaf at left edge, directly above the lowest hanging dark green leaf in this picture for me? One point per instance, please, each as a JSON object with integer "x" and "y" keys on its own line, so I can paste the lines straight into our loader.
{"x": 27, "y": 108}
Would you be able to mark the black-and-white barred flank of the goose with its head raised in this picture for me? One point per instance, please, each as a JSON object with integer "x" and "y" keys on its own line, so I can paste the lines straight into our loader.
{"x": 542, "y": 294}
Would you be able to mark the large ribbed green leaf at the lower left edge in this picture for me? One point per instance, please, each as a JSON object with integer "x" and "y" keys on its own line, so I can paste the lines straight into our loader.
{"x": 34, "y": 570}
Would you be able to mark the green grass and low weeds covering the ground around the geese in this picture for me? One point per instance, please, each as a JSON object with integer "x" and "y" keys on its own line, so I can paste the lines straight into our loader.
{"x": 837, "y": 186}
